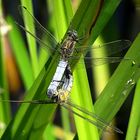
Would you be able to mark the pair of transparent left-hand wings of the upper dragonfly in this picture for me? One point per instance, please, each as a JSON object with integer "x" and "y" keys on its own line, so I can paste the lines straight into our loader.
{"x": 50, "y": 42}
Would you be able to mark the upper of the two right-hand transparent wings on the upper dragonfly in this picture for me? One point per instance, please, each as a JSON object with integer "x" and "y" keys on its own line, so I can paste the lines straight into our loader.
{"x": 111, "y": 48}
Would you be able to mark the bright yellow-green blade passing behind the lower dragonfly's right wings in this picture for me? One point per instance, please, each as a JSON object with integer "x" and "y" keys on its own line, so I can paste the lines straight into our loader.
{"x": 81, "y": 96}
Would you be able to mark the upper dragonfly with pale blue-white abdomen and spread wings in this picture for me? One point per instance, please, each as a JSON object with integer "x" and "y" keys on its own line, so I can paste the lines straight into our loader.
{"x": 67, "y": 49}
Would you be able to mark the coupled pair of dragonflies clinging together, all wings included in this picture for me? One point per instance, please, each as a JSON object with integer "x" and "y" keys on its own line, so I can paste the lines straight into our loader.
{"x": 59, "y": 89}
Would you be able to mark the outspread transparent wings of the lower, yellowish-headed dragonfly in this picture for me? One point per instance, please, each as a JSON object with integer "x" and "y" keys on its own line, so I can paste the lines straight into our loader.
{"x": 94, "y": 119}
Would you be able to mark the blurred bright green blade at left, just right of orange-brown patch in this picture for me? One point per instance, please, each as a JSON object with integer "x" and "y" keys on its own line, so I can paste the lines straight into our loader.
{"x": 21, "y": 55}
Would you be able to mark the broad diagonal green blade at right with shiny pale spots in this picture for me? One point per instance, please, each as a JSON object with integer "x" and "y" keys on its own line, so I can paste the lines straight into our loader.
{"x": 119, "y": 85}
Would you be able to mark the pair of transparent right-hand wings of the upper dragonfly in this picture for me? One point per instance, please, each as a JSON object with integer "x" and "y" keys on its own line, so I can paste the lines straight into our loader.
{"x": 111, "y": 48}
